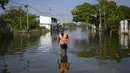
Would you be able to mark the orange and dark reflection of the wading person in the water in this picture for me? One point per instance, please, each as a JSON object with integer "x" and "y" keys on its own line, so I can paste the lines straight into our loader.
{"x": 63, "y": 63}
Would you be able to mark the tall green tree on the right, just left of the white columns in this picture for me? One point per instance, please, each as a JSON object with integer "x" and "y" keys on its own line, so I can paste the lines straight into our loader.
{"x": 113, "y": 15}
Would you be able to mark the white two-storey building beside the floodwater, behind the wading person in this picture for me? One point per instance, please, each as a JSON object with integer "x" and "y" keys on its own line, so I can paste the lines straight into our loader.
{"x": 48, "y": 22}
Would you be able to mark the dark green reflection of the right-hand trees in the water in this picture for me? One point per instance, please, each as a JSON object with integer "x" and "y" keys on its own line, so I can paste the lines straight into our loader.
{"x": 102, "y": 47}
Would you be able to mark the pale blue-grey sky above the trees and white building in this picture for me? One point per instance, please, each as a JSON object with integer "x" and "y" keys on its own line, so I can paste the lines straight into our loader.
{"x": 60, "y": 9}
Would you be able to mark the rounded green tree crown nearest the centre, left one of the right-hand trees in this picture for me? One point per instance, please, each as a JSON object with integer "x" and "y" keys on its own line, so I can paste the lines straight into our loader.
{"x": 82, "y": 13}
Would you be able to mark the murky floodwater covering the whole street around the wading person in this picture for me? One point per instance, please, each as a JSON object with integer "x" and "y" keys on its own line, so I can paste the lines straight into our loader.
{"x": 88, "y": 52}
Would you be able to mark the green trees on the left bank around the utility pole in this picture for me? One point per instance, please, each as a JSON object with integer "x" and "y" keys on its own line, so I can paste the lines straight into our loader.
{"x": 14, "y": 16}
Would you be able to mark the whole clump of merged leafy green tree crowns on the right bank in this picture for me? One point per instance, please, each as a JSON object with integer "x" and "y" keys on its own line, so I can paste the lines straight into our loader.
{"x": 106, "y": 12}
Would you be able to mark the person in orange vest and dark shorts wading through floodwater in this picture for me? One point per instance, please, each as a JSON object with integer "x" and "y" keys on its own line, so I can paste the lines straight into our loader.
{"x": 63, "y": 41}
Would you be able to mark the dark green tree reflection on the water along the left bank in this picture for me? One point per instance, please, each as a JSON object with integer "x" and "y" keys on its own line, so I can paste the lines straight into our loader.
{"x": 18, "y": 44}
